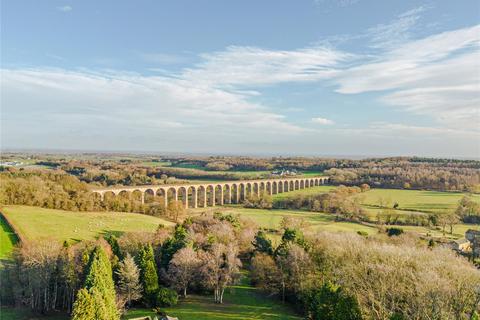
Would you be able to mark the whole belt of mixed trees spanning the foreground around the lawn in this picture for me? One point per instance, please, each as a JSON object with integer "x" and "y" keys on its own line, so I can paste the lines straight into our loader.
{"x": 323, "y": 275}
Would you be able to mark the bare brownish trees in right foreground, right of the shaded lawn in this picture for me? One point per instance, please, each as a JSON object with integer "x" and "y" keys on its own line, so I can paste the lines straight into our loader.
{"x": 347, "y": 276}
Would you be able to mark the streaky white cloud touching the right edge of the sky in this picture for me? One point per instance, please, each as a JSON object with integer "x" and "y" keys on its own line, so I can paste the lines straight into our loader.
{"x": 436, "y": 76}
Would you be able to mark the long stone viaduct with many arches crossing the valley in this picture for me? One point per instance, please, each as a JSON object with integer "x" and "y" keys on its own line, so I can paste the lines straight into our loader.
{"x": 216, "y": 193}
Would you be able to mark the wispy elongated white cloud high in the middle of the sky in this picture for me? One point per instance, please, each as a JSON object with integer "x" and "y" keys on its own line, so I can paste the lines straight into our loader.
{"x": 248, "y": 66}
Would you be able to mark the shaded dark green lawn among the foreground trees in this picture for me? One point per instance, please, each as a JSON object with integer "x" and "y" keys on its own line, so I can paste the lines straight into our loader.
{"x": 241, "y": 302}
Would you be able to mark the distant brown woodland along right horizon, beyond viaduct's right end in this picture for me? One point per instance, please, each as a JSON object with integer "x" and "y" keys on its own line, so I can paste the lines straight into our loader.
{"x": 396, "y": 172}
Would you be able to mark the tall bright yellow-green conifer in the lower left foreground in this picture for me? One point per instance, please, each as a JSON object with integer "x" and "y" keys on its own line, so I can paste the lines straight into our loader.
{"x": 99, "y": 290}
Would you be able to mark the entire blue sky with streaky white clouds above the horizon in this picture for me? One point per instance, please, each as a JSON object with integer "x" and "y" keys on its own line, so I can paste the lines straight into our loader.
{"x": 317, "y": 77}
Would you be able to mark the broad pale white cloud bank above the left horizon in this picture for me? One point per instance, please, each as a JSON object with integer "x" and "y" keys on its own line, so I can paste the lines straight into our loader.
{"x": 121, "y": 106}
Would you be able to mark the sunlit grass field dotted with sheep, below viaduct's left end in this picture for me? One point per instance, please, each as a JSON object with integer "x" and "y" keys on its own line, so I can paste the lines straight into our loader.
{"x": 33, "y": 223}
